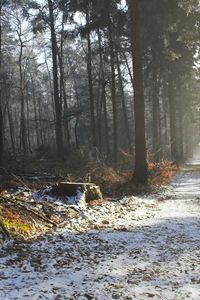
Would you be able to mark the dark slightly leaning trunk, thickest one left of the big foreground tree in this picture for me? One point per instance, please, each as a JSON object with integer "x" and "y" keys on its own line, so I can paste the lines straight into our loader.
{"x": 58, "y": 107}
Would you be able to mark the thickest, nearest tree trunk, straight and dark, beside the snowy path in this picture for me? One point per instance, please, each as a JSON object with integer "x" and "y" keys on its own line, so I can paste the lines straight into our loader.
{"x": 140, "y": 171}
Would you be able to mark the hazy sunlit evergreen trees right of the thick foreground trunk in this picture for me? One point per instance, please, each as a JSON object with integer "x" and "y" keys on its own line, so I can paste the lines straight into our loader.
{"x": 169, "y": 36}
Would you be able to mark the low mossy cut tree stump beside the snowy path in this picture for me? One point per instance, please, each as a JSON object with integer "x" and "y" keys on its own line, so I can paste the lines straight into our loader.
{"x": 91, "y": 190}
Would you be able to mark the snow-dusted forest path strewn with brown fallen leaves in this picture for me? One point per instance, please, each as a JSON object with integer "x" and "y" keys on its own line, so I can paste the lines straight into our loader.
{"x": 135, "y": 248}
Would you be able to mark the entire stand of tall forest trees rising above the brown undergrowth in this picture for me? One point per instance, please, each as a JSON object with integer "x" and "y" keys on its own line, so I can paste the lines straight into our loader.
{"x": 71, "y": 79}
